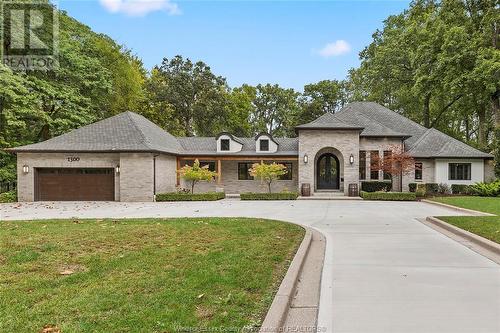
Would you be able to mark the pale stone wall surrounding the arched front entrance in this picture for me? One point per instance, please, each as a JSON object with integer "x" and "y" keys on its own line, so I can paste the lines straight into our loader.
{"x": 314, "y": 142}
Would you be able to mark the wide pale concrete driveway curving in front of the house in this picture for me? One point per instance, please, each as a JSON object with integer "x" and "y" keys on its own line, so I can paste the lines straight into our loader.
{"x": 384, "y": 270}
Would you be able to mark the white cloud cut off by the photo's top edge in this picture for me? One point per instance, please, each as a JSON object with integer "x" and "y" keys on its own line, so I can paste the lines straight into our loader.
{"x": 140, "y": 7}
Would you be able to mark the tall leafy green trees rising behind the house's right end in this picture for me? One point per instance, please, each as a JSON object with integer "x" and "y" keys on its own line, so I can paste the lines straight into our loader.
{"x": 437, "y": 63}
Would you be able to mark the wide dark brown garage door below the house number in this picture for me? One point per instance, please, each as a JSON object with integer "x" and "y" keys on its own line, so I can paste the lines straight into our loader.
{"x": 73, "y": 184}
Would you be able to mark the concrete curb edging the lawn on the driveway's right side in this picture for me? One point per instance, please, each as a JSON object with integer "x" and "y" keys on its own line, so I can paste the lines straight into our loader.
{"x": 475, "y": 242}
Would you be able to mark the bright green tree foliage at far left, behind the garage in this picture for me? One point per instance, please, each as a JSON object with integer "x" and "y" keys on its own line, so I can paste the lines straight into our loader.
{"x": 97, "y": 78}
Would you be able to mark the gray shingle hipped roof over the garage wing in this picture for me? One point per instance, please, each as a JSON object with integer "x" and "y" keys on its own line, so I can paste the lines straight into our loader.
{"x": 126, "y": 131}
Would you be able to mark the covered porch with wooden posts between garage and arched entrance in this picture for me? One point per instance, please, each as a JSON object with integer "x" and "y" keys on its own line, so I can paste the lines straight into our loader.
{"x": 233, "y": 176}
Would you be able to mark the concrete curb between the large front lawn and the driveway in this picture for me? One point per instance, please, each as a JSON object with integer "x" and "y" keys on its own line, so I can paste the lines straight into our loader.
{"x": 278, "y": 315}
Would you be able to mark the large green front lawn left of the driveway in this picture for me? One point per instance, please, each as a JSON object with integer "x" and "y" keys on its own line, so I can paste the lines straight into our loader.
{"x": 141, "y": 275}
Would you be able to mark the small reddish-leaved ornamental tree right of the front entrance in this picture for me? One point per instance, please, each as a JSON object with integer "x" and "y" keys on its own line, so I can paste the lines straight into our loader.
{"x": 398, "y": 163}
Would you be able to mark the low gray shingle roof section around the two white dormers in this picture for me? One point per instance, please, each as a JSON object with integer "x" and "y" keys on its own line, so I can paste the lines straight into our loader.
{"x": 208, "y": 146}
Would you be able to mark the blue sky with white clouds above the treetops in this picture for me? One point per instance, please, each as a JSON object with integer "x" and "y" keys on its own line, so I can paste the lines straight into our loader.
{"x": 291, "y": 43}
